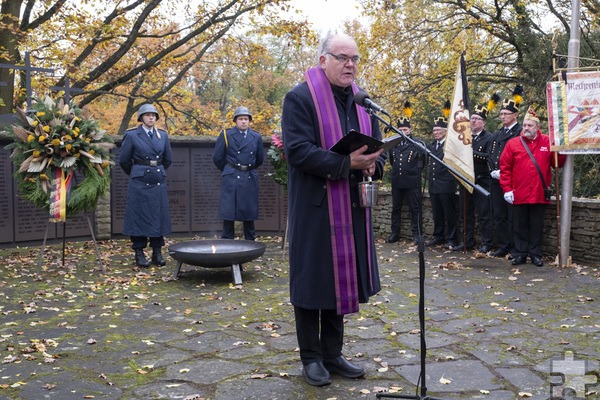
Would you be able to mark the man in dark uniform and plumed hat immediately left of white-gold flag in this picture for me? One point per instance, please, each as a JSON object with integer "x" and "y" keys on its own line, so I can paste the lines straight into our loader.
{"x": 442, "y": 191}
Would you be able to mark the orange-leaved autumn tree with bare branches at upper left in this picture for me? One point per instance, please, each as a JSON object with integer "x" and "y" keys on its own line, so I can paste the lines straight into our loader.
{"x": 124, "y": 54}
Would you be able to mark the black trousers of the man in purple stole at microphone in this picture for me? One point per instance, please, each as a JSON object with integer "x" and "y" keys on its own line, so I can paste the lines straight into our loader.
{"x": 320, "y": 334}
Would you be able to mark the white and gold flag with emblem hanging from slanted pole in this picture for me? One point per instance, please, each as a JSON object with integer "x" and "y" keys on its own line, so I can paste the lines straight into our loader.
{"x": 458, "y": 152}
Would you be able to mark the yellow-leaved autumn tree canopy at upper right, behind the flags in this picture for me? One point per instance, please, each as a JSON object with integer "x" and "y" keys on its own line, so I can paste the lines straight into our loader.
{"x": 416, "y": 45}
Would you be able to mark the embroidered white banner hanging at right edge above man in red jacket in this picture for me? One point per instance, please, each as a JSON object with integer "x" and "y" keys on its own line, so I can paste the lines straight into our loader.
{"x": 574, "y": 113}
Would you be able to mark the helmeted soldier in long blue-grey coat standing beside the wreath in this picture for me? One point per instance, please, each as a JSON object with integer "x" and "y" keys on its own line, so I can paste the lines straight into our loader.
{"x": 145, "y": 155}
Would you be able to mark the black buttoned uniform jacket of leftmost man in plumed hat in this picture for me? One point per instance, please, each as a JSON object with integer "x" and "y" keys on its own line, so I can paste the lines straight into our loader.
{"x": 407, "y": 161}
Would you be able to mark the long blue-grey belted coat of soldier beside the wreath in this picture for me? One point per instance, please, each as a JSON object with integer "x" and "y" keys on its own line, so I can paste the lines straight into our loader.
{"x": 147, "y": 207}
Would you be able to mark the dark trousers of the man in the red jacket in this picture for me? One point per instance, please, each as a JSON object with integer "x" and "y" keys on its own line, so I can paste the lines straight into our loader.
{"x": 528, "y": 224}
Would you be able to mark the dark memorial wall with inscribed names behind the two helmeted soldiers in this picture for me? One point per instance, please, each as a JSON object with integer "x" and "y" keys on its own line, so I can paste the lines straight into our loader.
{"x": 194, "y": 185}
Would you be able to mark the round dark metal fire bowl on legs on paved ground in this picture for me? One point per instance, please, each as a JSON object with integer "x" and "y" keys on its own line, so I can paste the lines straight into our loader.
{"x": 216, "y": 253}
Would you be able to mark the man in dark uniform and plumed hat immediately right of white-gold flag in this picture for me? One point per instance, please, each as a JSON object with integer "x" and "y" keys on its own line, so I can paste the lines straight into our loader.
{"x": 477, "y": 203}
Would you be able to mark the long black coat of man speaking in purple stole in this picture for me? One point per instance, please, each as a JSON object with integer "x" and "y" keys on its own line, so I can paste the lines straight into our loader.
{"x": 309, "y": 166}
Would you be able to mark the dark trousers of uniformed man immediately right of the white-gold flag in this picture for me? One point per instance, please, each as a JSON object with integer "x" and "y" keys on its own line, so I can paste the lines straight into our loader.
{"x": 480, "y": 205}
